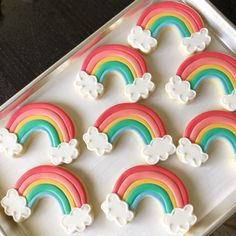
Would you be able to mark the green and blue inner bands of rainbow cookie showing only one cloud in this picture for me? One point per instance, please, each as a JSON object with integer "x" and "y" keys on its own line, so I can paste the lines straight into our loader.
{"x": 216, "y": 133}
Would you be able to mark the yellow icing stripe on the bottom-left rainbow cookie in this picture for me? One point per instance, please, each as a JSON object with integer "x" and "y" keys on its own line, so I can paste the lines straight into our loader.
{"x": 55, "y": 183}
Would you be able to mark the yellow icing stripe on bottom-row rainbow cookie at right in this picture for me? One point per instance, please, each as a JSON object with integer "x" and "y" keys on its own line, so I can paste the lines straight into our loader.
{"x": 150, "y": 181}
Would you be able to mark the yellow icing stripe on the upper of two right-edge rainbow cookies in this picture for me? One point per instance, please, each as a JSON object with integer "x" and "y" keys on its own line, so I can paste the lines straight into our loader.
{"x": 213, "y": 66}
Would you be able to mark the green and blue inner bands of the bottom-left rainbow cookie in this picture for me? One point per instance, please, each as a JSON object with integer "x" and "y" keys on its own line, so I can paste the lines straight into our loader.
{"x": 48, "y": 189}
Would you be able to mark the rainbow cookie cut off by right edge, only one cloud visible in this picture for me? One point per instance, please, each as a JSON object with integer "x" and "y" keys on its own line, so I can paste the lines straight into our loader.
{"x": 201, "y": 131}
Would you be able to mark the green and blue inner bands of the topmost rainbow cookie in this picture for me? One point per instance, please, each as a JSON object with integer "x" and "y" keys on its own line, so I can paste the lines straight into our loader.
{"x": 167, "y": 21}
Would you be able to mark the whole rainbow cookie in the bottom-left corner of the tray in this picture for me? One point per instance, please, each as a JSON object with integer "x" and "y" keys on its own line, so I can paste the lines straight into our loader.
{"x": 52, "y": 181}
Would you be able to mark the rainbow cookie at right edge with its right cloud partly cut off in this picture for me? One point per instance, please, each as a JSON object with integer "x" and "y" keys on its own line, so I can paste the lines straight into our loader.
{"x": 202, "y": 66}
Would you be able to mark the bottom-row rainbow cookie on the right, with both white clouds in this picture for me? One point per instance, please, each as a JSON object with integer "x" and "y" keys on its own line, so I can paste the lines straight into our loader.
{"x": 139, "y": 182}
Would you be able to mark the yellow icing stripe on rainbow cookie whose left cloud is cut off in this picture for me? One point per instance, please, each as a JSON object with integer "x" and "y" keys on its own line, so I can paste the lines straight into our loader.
{"x": 40, "y": 117}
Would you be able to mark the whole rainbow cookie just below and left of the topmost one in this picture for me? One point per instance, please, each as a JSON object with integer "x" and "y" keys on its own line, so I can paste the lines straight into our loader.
{"x": 120, "y": 59}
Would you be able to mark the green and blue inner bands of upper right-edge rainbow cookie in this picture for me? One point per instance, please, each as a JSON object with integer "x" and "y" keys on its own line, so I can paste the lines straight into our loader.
{"x": 212, "y": 73}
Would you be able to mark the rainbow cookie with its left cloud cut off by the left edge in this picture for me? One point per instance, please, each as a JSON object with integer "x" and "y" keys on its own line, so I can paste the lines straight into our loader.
{"x": 44, "y": 117}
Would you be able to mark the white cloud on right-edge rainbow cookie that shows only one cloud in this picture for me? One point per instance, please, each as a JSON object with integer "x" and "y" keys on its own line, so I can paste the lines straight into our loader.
{"x": 190, "y": 153}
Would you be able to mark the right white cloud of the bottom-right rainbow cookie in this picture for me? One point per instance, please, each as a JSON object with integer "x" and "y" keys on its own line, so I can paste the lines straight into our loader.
{"x": 180, "y": 220}
